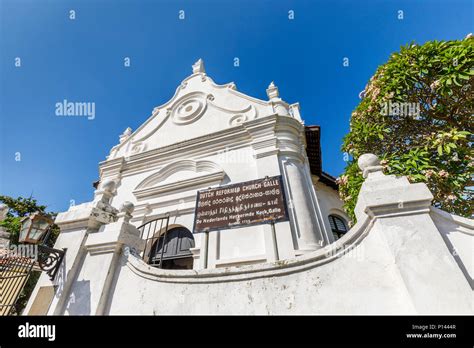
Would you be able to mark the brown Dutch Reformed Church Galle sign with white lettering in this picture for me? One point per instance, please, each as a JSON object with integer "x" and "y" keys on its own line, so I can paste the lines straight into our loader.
{"x": 238, "y": 205}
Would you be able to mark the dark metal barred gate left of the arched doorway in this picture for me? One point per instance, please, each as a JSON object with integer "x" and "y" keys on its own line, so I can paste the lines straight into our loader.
{"x": 152, "y": 243}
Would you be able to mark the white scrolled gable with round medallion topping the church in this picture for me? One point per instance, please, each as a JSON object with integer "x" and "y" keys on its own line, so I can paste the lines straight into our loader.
{"x": 198, "y": 108}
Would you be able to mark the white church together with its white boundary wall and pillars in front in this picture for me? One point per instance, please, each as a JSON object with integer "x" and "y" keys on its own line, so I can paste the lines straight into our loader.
{"x": 138, "y": 247}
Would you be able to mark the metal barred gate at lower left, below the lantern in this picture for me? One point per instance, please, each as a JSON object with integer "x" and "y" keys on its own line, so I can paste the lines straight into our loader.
{"x": 14, "y": 272}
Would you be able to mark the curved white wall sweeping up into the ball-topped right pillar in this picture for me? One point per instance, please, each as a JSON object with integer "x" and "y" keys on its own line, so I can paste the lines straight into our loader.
{"x": 393, "y": 261}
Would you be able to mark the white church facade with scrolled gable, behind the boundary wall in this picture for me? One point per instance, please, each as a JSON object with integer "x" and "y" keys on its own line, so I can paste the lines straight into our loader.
{"x": 209, "y": 135}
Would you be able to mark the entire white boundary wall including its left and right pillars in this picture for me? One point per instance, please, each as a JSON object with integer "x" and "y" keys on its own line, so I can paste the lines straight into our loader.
{"x": 402, "y": 257}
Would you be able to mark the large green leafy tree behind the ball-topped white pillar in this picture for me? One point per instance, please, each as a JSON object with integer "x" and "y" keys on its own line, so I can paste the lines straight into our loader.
{"x": 416, "y": 114}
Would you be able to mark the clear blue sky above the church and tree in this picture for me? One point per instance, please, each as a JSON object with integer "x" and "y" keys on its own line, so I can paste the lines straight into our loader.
{"x": 82, "y": 60}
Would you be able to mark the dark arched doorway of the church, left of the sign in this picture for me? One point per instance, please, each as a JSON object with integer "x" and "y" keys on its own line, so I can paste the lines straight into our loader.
{"x": 174, "y": 252}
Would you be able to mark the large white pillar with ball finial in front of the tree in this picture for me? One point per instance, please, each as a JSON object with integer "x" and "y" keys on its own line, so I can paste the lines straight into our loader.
{"x": 401, "y": 222}
